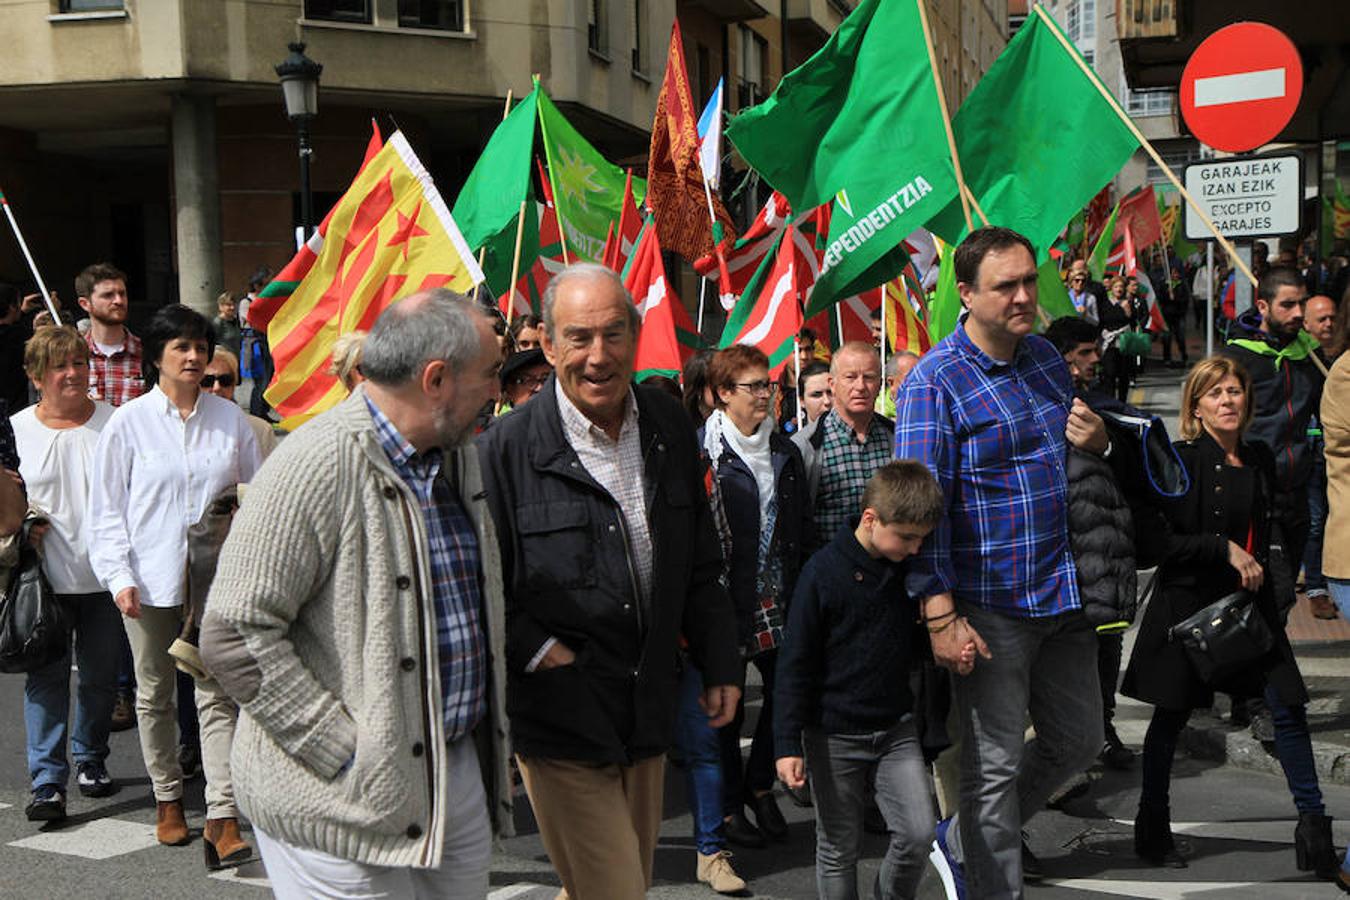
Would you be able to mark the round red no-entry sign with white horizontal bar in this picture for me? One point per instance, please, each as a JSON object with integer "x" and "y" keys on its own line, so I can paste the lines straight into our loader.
{"x": 1241, "y": 87}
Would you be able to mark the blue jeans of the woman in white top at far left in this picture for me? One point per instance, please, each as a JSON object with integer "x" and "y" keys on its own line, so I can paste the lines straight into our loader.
{"x": 47, "y": 693}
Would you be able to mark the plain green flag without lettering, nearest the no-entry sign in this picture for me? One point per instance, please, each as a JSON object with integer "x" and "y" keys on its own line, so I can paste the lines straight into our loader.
{"x": 1037, "y": 140}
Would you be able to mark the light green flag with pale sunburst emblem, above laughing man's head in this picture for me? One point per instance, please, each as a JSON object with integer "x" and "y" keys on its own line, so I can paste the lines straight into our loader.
{"x": 588, "y": 190}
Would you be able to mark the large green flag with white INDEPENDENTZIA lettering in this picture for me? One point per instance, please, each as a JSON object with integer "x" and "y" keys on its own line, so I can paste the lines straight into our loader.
{"x": 859, "y": 125}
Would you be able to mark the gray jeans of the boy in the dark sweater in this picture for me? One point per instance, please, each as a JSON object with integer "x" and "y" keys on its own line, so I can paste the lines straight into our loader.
{"x": 842, "y": 767}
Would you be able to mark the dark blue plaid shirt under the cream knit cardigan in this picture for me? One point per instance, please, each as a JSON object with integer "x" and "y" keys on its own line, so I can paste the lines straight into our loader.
{"x": 457, "y": 580}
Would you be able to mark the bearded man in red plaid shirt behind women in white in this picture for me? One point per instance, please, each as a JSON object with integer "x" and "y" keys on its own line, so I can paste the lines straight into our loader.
{"x": 115, "y": 374}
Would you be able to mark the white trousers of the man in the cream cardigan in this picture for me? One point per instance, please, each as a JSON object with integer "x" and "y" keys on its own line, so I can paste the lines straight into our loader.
{"x": 299, "y": 874}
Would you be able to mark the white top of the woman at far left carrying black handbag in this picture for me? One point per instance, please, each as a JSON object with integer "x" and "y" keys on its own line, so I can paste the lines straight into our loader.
{"x": 56, "y": 465}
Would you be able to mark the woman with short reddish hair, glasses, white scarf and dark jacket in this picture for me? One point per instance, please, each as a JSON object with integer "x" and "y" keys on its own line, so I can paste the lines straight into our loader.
{"x": 763, "y": 517}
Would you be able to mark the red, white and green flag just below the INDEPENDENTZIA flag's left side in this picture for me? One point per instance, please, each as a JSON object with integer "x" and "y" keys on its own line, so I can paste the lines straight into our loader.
{"x": 769, "y": 315}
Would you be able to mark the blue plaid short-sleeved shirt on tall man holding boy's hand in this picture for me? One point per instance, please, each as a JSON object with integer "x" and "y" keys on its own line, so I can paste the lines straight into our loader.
{"x": 993, "y": 434}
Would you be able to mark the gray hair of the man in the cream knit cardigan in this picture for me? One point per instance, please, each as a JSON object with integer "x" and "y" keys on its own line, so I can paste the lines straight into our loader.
{"x": 423, "y": 329}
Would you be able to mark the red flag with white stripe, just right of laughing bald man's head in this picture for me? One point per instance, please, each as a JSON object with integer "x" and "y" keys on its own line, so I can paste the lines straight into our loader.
{"x": 661, "y": 350}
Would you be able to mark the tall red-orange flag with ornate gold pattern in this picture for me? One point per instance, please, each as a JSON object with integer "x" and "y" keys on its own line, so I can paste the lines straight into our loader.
{"x": 676, "y": 190}
